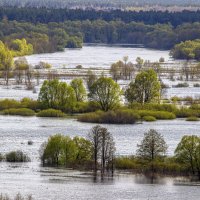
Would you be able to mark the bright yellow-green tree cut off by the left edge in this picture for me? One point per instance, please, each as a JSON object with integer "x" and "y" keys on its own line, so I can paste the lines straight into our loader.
{"x": 6, "y": 61}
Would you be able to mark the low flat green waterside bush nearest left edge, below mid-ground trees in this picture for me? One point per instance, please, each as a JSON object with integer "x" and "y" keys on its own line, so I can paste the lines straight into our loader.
{"x": 19, "y": 111}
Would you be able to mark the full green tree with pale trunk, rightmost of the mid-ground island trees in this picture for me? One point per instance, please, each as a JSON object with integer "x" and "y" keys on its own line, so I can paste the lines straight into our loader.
{"x": 145, "y": 88}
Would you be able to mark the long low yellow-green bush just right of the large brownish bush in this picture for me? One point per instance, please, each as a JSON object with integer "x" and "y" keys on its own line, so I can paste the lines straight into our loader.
{"x": 157, "y": 114}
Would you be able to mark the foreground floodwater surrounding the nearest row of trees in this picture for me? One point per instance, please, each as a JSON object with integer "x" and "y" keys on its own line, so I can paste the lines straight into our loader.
{"x": 51, "y": 183}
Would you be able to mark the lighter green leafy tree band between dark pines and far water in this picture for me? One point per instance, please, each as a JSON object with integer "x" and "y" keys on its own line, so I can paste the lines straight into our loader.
{"x": 54, "y": 36}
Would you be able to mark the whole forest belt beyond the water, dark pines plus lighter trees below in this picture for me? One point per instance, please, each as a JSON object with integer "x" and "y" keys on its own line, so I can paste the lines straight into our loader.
{"x": 50, "y": 30}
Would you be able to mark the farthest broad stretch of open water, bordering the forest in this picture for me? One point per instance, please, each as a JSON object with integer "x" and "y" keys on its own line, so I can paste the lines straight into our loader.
{"x": 97, "y": 56}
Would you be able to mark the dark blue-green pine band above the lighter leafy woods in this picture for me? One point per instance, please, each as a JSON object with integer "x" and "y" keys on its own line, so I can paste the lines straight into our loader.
{"x": 44, "y": 15}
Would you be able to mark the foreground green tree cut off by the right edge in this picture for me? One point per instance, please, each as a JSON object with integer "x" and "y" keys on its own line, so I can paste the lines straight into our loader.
{"x": 188, "y": 153}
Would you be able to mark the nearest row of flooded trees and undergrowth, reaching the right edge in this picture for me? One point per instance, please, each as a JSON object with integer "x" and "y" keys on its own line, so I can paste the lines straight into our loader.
{"x": 97, "y": 152}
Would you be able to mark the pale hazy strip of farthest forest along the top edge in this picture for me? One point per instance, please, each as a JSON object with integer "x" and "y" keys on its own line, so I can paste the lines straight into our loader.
{"x": 90, "y": 3}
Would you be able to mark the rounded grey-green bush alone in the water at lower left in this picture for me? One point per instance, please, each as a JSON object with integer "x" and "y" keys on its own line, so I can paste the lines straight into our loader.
{"x": 17, "y": 156}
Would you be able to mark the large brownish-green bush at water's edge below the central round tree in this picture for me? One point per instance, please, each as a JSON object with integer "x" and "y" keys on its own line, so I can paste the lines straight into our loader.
{"x": 111, "y": 117}
